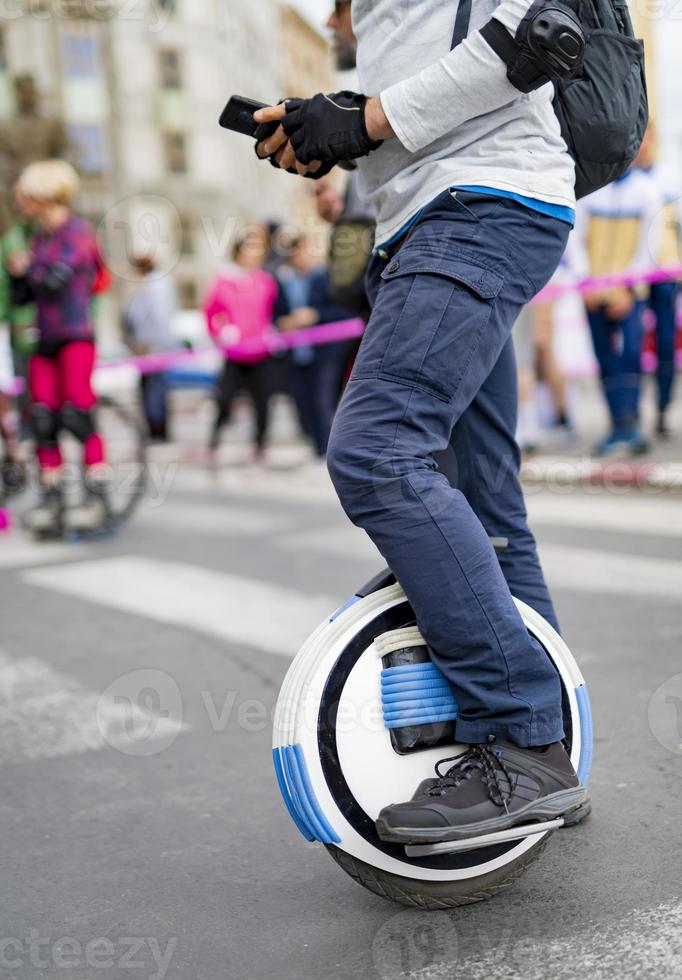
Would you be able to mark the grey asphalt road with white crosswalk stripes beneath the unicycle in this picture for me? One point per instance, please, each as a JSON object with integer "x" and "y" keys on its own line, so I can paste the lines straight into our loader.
{"x": 172, "y": 855}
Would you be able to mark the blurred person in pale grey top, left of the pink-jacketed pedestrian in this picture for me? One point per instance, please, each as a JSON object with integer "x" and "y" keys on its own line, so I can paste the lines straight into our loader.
{"x": 148, "y": 329}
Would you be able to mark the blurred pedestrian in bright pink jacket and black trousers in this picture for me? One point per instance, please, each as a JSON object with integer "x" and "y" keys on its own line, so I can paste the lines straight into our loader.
{"x": 240, "y": 307}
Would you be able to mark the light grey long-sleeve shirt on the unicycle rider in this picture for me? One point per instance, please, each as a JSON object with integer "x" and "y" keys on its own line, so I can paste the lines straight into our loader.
{"x": 458, "y": 119}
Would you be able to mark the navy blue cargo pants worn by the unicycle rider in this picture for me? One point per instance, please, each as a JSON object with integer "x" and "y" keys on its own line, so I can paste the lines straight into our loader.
{"x": 436, "y": 375}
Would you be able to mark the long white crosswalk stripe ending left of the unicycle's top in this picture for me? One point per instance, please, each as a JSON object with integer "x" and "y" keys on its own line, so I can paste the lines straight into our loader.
{"x": 236, "y": 609}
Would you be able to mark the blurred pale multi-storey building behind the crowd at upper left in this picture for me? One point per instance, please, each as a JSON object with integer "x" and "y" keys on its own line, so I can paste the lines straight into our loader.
{"x": 139, "y": 85}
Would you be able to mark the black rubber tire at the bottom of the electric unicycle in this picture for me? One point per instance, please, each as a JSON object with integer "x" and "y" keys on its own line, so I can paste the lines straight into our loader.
{"x": 434, "y": 895}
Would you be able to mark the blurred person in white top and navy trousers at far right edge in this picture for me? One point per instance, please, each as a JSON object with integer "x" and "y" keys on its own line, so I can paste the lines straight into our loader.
{"x": 662, "y": 299}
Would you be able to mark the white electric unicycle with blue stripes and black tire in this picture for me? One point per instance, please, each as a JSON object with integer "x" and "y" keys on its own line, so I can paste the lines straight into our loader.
{"x": 363, "y": 716}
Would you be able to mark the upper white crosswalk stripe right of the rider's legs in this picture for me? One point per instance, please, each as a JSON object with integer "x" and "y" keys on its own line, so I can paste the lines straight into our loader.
{"x": 629, "y": 514}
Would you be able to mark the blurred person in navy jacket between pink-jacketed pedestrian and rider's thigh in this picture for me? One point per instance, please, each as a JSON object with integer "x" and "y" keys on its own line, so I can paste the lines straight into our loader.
{"x": 315, "y": 371}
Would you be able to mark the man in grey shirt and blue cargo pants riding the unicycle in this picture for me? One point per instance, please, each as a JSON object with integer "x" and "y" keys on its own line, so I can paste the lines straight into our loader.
{"x": 463, "y": 158}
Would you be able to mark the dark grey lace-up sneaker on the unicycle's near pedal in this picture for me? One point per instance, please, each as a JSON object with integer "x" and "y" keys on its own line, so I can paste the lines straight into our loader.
{"x": 488, "y": 788}
